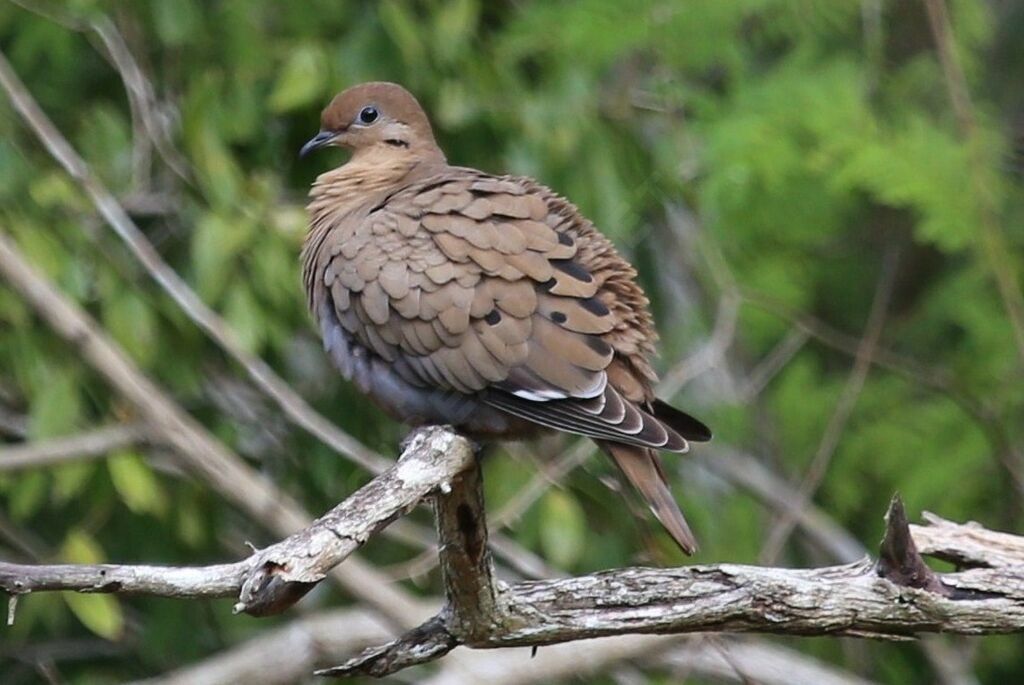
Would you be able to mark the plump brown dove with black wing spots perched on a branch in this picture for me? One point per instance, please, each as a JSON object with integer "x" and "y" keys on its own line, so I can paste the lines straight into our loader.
{"x": 488, "y": 303}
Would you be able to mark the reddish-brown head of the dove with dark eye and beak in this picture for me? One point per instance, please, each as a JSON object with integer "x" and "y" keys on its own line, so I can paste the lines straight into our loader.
{"x": 377, "y": 116}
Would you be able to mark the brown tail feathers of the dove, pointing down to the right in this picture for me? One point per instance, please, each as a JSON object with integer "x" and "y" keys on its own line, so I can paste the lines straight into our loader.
{"x": 644, "y": 468}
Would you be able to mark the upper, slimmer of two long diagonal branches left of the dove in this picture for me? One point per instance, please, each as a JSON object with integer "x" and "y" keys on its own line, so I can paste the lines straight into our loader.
{"x": 294, "y": 407}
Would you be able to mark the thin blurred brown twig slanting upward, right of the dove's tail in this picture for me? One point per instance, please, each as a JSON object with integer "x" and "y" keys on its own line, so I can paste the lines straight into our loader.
{"x": 844, "y": 408}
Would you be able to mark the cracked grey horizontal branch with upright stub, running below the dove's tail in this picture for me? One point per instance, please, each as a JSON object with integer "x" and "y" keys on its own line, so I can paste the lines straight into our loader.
{"x": 897, "y": 598}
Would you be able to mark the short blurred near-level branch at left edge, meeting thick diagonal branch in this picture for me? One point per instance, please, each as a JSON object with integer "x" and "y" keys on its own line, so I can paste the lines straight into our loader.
{"x": 89, "y": 445}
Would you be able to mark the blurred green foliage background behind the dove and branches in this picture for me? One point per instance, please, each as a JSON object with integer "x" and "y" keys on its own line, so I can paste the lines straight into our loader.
{"x": 825, "y": 203}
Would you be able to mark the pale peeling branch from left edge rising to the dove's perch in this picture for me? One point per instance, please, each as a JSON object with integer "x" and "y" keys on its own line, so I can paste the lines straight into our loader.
{"x": 274, "y": 579}
